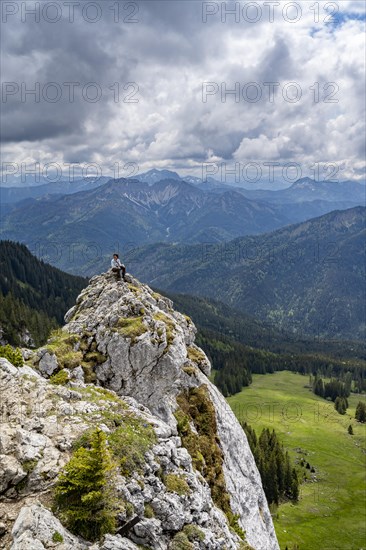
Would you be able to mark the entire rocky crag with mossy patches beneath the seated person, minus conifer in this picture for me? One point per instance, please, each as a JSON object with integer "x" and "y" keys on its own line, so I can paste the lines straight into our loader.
{"x": 126, "y": 362}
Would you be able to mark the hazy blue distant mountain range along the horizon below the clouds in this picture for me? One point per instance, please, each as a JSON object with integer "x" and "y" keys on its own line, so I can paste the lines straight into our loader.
{"x": 126, "y": 213}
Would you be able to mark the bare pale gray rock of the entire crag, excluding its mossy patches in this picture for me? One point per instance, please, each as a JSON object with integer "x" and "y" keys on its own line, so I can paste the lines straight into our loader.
{"x": 148, "y": 358}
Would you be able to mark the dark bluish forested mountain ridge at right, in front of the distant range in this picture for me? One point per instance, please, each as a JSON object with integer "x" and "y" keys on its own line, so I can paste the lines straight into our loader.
{"x": 307, "y": 278}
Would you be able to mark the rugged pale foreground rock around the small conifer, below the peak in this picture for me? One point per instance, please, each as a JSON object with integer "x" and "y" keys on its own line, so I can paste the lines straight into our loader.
{"x": 33, "y": 451}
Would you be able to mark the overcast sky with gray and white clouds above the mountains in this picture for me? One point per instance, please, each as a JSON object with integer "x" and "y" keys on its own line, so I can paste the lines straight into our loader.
{"x": 246, "y": 87}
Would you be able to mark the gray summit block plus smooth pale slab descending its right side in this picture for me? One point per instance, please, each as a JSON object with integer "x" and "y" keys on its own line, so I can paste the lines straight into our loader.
{"x": 151, "y": 368}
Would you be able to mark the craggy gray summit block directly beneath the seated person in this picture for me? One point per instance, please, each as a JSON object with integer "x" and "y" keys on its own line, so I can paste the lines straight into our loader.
{"x": 144, "y": 339}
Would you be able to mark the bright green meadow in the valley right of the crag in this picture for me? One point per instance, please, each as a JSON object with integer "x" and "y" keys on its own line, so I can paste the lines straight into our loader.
{"x": 331, "y": 513}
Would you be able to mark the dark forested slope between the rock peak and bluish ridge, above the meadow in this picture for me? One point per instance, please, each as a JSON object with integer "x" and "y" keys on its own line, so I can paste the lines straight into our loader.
{"x": 239, "y": 346}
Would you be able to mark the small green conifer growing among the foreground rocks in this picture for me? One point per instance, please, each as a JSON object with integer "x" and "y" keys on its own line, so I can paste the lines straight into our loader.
{"x": 84, "y": 492}
